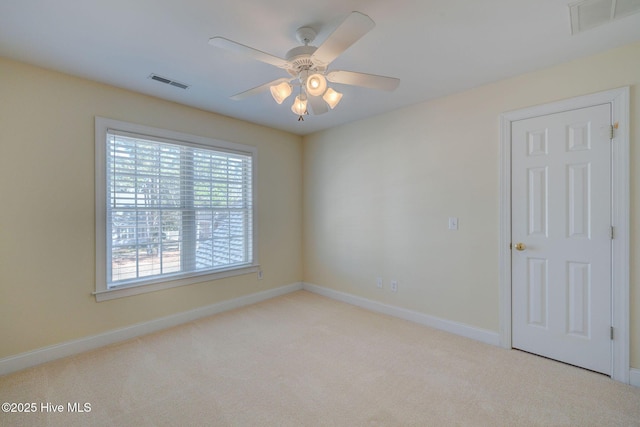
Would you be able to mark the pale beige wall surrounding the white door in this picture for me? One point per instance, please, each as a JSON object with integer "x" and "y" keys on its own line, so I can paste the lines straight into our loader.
{"x": 378, "y": 193}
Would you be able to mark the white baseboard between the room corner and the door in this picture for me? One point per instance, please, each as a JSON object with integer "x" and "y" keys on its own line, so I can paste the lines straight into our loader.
{"x": 483, "y": 335}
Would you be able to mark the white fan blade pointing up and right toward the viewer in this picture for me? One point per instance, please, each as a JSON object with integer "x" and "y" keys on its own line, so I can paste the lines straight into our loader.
{"x": 348, "y": 32}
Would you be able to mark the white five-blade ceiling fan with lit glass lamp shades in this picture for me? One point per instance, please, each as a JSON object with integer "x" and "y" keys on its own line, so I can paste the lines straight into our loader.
{"x": 308, "y": 67}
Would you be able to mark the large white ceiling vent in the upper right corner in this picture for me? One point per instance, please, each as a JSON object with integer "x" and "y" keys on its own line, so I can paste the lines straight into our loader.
{"x": 588, "y": 14}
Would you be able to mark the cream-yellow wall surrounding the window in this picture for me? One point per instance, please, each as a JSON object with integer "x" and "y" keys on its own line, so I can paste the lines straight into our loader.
{"x": 47, "y": 237}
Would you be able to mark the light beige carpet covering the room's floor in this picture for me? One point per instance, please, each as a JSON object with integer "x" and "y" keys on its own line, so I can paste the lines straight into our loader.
{"x": 306, "y": 360}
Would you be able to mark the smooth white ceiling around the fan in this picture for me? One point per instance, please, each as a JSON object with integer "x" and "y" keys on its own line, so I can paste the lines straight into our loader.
{"x": 436, "y": 47}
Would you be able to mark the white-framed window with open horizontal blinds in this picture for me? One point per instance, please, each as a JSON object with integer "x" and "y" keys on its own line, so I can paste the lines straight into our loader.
{"x": 171, "y": 209}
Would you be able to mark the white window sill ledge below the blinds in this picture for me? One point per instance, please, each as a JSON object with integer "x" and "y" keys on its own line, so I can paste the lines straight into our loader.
{"x": 130, "y": 290}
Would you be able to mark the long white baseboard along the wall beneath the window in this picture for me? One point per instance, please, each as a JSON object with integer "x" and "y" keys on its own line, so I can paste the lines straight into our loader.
{"x": 69, "y": 348}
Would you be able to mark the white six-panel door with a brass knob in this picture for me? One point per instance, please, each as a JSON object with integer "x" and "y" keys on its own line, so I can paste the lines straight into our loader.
{"x": 561, "y": 234}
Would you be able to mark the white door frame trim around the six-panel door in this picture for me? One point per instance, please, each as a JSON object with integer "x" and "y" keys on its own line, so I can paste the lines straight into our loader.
{"x": 620, "y": 194}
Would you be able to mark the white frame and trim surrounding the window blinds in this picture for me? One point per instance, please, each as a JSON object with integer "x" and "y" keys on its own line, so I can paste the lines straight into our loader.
{"x": 102, "y": 127}
